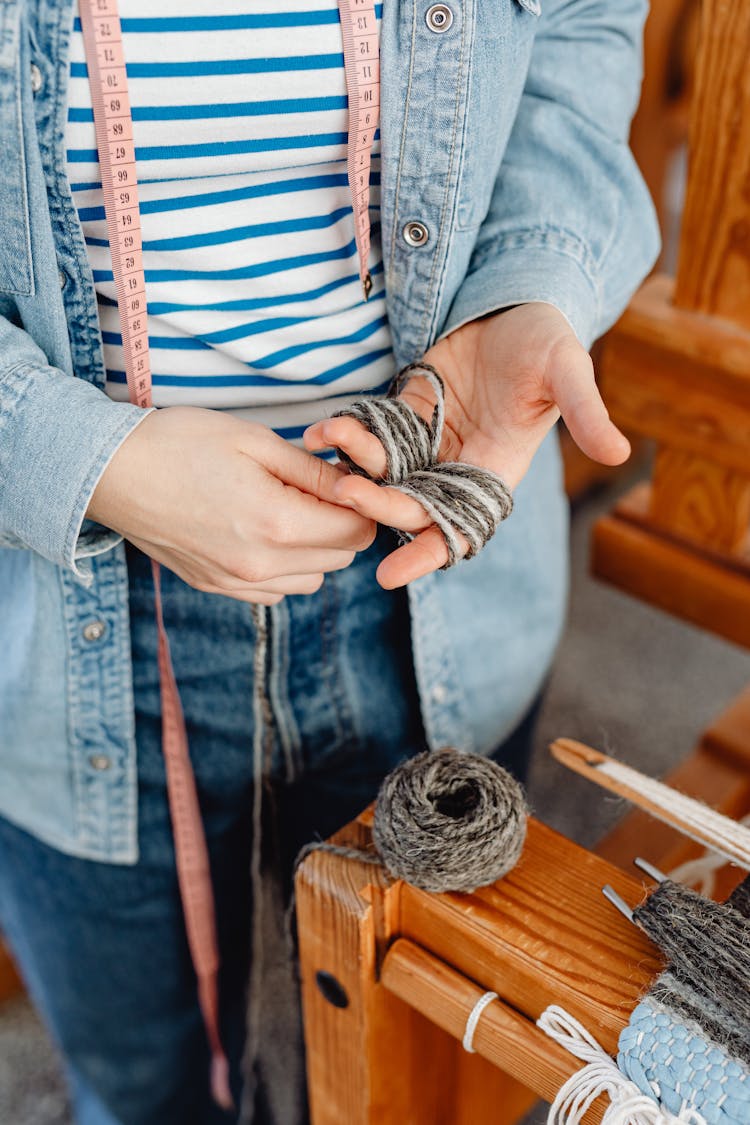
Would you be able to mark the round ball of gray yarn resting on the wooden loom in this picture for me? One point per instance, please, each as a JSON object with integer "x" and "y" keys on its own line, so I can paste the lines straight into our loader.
{"x": 450, "y": 822}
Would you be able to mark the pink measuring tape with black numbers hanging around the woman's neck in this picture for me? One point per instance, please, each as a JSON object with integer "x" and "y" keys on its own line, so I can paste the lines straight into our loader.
{"x": 114, "y": 127}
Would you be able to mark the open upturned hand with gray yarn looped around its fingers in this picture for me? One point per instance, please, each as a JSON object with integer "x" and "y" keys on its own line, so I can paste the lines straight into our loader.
{"x": 509, "y": 377}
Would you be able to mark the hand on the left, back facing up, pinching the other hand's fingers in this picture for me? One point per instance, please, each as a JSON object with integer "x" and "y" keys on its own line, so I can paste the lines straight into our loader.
{"x": 229, "y": 506}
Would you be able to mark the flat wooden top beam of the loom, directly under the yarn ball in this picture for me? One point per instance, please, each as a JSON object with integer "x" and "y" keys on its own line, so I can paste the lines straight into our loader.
{"x": 545, "y": 934}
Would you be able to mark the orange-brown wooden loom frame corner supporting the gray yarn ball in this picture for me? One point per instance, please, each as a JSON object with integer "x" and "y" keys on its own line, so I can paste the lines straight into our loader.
{"x": 391, "y": 975}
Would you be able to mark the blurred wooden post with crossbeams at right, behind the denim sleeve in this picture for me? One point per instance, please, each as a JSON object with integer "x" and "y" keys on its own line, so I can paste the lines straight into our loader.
{"x": 677, "y": 370}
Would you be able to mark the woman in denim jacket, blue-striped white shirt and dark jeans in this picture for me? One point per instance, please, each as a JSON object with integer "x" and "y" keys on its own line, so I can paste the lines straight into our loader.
{"x": 510, "y": 229}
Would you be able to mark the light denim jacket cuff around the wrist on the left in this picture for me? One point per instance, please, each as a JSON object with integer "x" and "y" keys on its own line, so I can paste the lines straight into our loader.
{"x": 58, "y": 436}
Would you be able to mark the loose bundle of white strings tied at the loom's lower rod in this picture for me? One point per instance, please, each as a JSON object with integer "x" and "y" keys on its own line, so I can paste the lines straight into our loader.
{"x": 601, "y": 1075}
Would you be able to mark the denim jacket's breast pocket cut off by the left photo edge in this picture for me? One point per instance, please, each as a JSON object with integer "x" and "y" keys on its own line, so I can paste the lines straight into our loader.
{"x": 16, "y": 271}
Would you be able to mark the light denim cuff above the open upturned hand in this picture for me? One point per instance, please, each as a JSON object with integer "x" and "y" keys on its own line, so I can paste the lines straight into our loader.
{"x": 520, "y": 273}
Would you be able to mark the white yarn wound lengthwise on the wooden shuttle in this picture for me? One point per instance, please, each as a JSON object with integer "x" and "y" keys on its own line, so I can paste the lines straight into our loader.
{"x": 699, "y": 822}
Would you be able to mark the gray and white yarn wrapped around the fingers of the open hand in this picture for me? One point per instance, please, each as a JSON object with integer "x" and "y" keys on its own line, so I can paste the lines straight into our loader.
{"x": 462, "y": 500}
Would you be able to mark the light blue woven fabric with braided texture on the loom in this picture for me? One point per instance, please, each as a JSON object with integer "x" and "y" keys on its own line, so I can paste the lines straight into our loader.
{"x": 674, "y": 1063}
